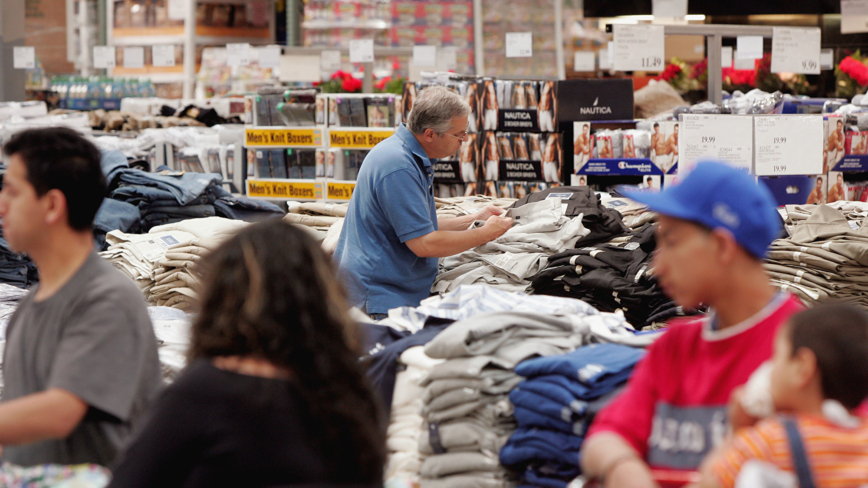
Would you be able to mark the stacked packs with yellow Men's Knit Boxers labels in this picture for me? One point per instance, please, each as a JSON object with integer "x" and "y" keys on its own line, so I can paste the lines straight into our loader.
{"x": 306, "y": 146}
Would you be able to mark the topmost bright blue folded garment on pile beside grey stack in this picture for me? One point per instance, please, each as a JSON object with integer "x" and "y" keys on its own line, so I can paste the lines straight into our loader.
{"x": 589, "y": 365}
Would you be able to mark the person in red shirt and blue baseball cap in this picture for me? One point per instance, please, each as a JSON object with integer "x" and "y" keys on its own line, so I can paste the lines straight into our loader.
{"x": 713, "y": 230}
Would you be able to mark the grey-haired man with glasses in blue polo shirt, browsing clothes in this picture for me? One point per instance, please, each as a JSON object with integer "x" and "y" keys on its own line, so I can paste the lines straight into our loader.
{"x": 391, "y": 238}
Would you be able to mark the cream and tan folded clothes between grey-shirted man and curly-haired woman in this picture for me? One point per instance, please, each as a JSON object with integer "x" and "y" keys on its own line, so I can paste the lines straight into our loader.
{"x": 162, "y": 261}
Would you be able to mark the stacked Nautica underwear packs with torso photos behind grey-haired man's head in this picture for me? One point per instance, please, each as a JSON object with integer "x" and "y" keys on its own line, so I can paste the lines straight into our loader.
{"x": 512, "y": 147}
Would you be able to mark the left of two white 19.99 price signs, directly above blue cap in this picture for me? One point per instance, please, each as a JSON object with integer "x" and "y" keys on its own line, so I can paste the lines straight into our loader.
{"x": 727, "y": 138}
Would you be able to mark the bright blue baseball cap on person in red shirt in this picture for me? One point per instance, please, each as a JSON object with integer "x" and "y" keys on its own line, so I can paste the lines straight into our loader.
{"x": 717, "y": 195}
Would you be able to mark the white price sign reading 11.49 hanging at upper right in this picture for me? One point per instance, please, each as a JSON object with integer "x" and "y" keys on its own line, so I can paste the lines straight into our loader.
{"x": 639, "y": 47}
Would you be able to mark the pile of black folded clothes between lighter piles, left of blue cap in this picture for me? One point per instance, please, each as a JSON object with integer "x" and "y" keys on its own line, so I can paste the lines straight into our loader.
{"x": 612, "y": 276}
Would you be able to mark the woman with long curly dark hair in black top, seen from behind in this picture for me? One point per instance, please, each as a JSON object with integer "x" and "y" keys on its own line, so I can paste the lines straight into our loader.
{"x": 274, "y": 393}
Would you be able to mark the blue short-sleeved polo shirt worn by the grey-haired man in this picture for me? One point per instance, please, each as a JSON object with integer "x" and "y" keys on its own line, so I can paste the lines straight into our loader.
{"x": 393, "y": 202}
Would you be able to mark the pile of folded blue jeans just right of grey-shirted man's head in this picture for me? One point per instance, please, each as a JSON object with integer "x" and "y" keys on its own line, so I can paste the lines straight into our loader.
{"x": 166, "y": 196}
